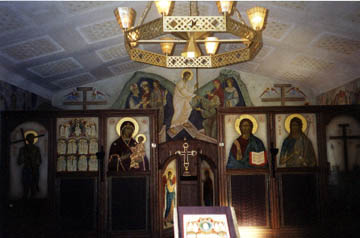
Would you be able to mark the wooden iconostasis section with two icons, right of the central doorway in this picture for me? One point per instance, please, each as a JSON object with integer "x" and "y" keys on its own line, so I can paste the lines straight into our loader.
{"x": 251, "y": 168}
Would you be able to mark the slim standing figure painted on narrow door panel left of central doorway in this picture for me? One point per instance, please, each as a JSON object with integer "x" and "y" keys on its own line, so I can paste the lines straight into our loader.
{"x": 169, "y": 185}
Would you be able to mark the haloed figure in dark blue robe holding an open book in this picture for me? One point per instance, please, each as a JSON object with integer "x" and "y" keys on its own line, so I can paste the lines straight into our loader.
{"x": 247, "y": 151}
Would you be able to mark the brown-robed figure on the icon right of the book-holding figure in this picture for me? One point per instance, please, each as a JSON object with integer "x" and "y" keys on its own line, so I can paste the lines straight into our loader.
{"x": 297, "y": 149}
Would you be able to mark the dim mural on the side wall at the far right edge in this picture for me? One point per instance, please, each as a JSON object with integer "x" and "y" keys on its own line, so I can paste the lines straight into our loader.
{"x": 346, "y": 94}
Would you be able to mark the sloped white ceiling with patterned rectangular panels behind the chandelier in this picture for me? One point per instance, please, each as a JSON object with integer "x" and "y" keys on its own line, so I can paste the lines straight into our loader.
{"x": 46, "y": 47}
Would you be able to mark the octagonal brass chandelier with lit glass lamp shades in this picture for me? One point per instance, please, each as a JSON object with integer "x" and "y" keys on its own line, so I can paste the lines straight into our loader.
{"x": 192, "y": 30}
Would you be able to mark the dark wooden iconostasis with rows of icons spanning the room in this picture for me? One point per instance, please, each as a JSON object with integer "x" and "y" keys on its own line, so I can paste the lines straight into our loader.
{"x": 106, "y": 172}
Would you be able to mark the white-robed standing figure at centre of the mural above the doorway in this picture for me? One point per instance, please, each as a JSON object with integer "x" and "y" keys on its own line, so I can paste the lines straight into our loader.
{"x": 183, "y": 94}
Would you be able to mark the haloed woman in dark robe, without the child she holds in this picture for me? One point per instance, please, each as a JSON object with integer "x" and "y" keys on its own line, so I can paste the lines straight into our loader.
{"x": 120, "y": 150}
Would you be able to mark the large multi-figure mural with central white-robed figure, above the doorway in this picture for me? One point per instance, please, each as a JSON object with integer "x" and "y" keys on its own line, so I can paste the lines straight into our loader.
{"x": 185, "y": 109}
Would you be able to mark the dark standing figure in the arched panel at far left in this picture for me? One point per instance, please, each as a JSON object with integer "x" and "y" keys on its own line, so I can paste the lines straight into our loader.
{"x": 30, "y": 158}
